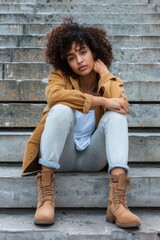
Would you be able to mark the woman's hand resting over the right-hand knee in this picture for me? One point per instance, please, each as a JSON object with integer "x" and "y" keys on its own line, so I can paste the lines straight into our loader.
{"x": 119, "y": 105}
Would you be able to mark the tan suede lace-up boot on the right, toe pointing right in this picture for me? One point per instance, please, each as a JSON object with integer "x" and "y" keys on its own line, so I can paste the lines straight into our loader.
{"x": 117, "y": 210}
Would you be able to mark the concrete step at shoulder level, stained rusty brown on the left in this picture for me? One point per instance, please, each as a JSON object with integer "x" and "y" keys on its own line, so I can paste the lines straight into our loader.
{"x": 33, "y": 90}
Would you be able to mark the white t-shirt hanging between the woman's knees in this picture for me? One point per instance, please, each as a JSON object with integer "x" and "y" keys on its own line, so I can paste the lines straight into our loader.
{"x": 84, "y": 127}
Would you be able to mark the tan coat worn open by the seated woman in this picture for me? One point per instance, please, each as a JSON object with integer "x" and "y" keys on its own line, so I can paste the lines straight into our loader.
{"x": 65, "y": 90}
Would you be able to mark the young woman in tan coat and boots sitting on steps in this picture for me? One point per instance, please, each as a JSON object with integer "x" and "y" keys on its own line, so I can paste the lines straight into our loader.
{"x": 84, "y": 124}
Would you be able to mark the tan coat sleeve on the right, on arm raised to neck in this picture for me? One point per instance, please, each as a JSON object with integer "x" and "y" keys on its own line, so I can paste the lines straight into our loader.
{"x": 110, "y": 86}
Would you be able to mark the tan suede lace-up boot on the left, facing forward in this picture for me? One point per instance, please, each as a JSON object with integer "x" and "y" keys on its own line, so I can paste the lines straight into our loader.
{"x": 46, "y": 203}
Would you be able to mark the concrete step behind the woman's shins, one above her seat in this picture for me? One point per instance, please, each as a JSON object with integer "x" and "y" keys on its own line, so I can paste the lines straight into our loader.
{"x": 143, "y": 147}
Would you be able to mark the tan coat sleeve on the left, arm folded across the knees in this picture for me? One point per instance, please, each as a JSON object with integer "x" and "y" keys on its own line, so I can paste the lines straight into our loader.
{"x": 57, "y": 92}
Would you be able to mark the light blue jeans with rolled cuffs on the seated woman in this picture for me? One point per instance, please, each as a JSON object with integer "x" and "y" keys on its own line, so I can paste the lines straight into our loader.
{"x": 109, "y": 143}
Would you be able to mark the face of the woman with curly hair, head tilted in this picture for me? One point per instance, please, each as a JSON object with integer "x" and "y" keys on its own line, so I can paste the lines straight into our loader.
{"x": 80, "y": 59}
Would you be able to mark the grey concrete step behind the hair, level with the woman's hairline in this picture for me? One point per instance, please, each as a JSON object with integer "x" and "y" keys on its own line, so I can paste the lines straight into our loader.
{"x": 117, "y": 41}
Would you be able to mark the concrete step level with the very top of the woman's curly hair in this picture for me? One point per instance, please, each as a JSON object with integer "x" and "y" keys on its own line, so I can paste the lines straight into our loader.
{"x": 112, "y": 29}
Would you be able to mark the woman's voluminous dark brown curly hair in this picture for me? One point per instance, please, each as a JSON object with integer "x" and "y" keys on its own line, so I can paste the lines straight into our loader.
{"x": 60, "y": 39}
